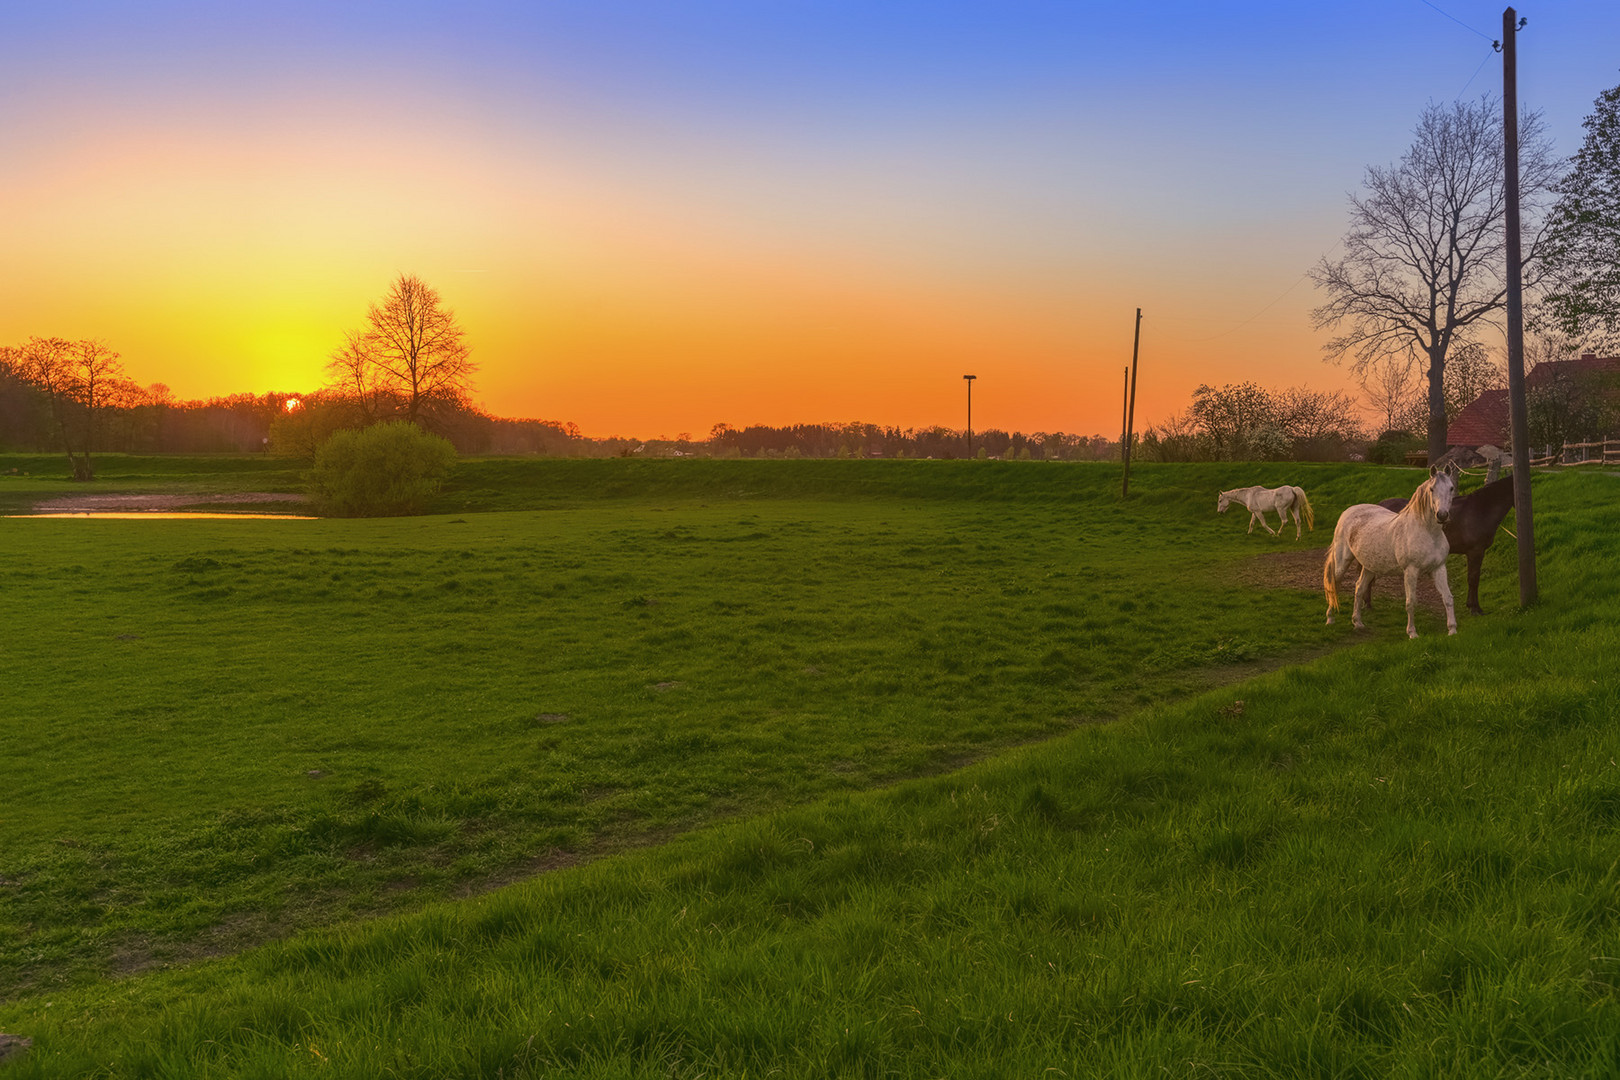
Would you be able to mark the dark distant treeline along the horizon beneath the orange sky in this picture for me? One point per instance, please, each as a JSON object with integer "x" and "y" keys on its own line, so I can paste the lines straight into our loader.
{"x": 56, "y": 402}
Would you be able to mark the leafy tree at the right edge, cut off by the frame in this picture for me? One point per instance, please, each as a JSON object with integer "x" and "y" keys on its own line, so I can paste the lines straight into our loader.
{"x": 1584, "y": 242}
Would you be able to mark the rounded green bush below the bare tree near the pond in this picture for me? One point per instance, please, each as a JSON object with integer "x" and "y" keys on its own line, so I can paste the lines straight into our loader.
{"x": 380, "y": 472}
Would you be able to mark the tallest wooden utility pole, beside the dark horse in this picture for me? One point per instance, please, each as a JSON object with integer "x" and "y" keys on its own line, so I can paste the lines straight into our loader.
{"x": 1517, "y": 407}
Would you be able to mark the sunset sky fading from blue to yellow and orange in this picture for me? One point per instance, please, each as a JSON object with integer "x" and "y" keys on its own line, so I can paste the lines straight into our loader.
{"x": 659, "y": 216}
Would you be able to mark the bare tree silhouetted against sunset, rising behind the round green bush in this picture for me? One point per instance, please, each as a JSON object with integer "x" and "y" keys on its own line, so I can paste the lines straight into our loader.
{"x": 411, "y": 360}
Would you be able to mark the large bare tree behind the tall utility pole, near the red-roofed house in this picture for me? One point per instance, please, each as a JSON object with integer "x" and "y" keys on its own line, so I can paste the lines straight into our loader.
{"x": 1425, "y": 257}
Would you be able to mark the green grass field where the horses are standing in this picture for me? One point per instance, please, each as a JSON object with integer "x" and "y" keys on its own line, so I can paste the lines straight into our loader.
{"x": 1397, "y": 859}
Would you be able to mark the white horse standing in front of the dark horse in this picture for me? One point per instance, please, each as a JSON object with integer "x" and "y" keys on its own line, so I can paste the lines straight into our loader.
{"x": 1384, "y": 542}
